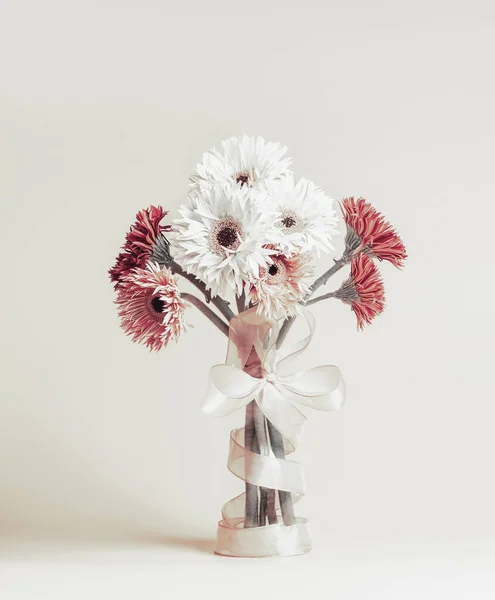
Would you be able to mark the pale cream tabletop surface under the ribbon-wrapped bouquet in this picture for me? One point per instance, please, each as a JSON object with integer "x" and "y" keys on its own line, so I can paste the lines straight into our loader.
{"x": 181, "y": 568}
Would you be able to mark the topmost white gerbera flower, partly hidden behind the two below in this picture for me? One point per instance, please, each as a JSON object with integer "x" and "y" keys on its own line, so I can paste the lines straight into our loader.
{"x": 247, "y": 161}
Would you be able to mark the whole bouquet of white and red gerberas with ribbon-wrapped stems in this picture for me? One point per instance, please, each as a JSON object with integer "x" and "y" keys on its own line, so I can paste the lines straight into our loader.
{"x": 247, "y": 239}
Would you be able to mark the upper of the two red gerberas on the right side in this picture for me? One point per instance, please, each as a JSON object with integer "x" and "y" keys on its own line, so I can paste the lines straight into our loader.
{"x": 367, "y": 231}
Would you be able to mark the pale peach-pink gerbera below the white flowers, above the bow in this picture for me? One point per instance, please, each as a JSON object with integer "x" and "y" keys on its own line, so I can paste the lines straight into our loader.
{"x": 280, "y": 286}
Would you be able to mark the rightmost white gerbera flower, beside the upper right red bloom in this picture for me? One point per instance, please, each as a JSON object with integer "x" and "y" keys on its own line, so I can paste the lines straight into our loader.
{"x": 305, "y": 219}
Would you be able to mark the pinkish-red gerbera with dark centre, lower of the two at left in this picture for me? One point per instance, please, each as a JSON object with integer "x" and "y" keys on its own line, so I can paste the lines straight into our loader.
{"x": 150, "y": 306}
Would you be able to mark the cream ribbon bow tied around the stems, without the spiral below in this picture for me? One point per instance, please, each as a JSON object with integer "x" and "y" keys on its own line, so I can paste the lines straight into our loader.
{"x": 277, "y": 393}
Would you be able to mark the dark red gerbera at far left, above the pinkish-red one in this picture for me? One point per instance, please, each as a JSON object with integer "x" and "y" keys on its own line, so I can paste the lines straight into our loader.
{"x": 144, "y": 241}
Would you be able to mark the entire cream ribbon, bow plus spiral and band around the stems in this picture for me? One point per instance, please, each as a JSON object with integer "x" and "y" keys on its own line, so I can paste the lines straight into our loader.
{"x": 278, "y": 391}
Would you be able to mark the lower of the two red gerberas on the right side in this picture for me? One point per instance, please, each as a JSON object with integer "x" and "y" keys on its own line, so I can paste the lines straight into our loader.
{"x": 363, "y": 290}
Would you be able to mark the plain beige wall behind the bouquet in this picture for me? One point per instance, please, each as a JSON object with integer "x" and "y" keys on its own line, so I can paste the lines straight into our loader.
{"x": 104, "y": 108}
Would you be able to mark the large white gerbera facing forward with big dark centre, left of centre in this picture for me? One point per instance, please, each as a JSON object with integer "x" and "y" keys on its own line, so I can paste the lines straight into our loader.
{"x": 220, "y": 235}
